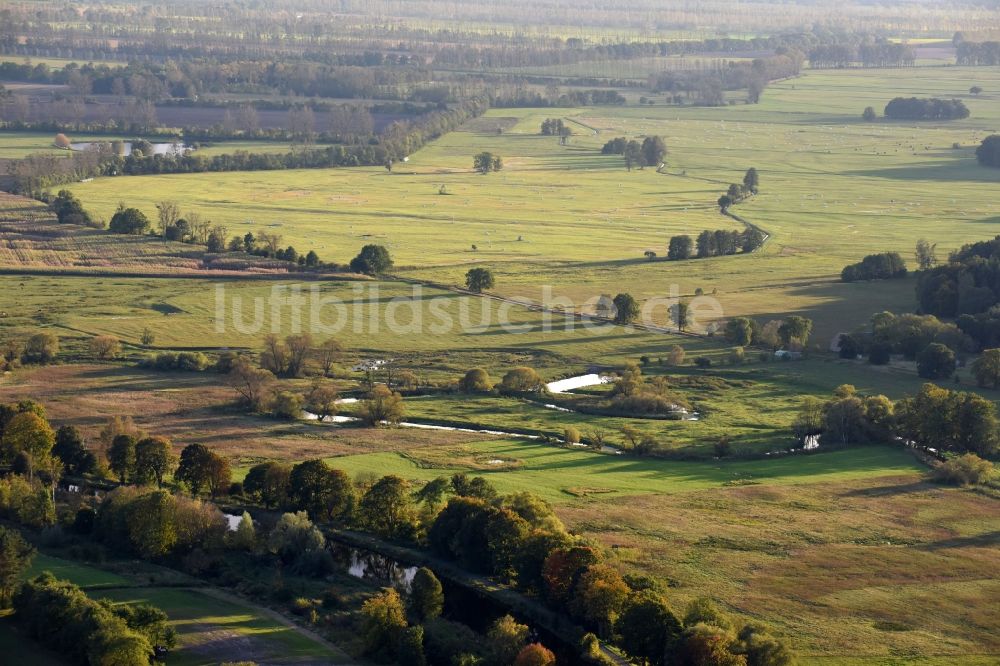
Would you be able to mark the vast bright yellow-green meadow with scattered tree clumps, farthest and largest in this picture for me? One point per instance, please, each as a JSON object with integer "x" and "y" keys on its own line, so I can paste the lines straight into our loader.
{"x": 833, "y": 189}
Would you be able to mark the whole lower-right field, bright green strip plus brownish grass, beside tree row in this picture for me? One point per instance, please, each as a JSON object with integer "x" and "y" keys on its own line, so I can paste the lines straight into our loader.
{"x": 842, "y": 551}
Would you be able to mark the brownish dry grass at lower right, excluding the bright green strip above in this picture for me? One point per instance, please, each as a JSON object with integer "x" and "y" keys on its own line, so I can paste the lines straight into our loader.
{"x": 882, "y": 568}
